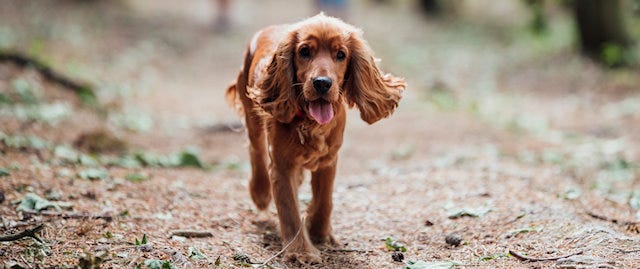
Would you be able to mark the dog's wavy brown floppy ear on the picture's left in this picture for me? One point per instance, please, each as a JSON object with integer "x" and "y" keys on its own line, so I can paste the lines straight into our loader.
{"x": 275, "y": 93}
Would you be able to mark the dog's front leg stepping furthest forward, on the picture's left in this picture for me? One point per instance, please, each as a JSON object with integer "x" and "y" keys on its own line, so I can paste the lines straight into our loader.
{"x": 284, "y": 188}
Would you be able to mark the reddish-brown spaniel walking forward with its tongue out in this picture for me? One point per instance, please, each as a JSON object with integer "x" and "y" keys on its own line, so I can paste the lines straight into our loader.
{"x": 293, "y": 91}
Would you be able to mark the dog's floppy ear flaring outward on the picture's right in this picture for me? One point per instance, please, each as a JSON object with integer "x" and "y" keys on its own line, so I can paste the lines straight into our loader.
{"x": 375, "y": 93}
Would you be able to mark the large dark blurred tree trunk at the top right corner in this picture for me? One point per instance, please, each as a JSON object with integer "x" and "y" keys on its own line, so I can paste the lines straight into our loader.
{"x": 604, "y": 34}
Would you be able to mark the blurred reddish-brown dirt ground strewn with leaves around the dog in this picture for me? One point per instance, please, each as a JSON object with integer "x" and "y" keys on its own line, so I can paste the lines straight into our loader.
{"x": 507, "y": 141}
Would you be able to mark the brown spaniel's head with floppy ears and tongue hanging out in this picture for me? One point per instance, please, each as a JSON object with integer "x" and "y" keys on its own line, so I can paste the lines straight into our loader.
{"x": 321, "y": 63}
